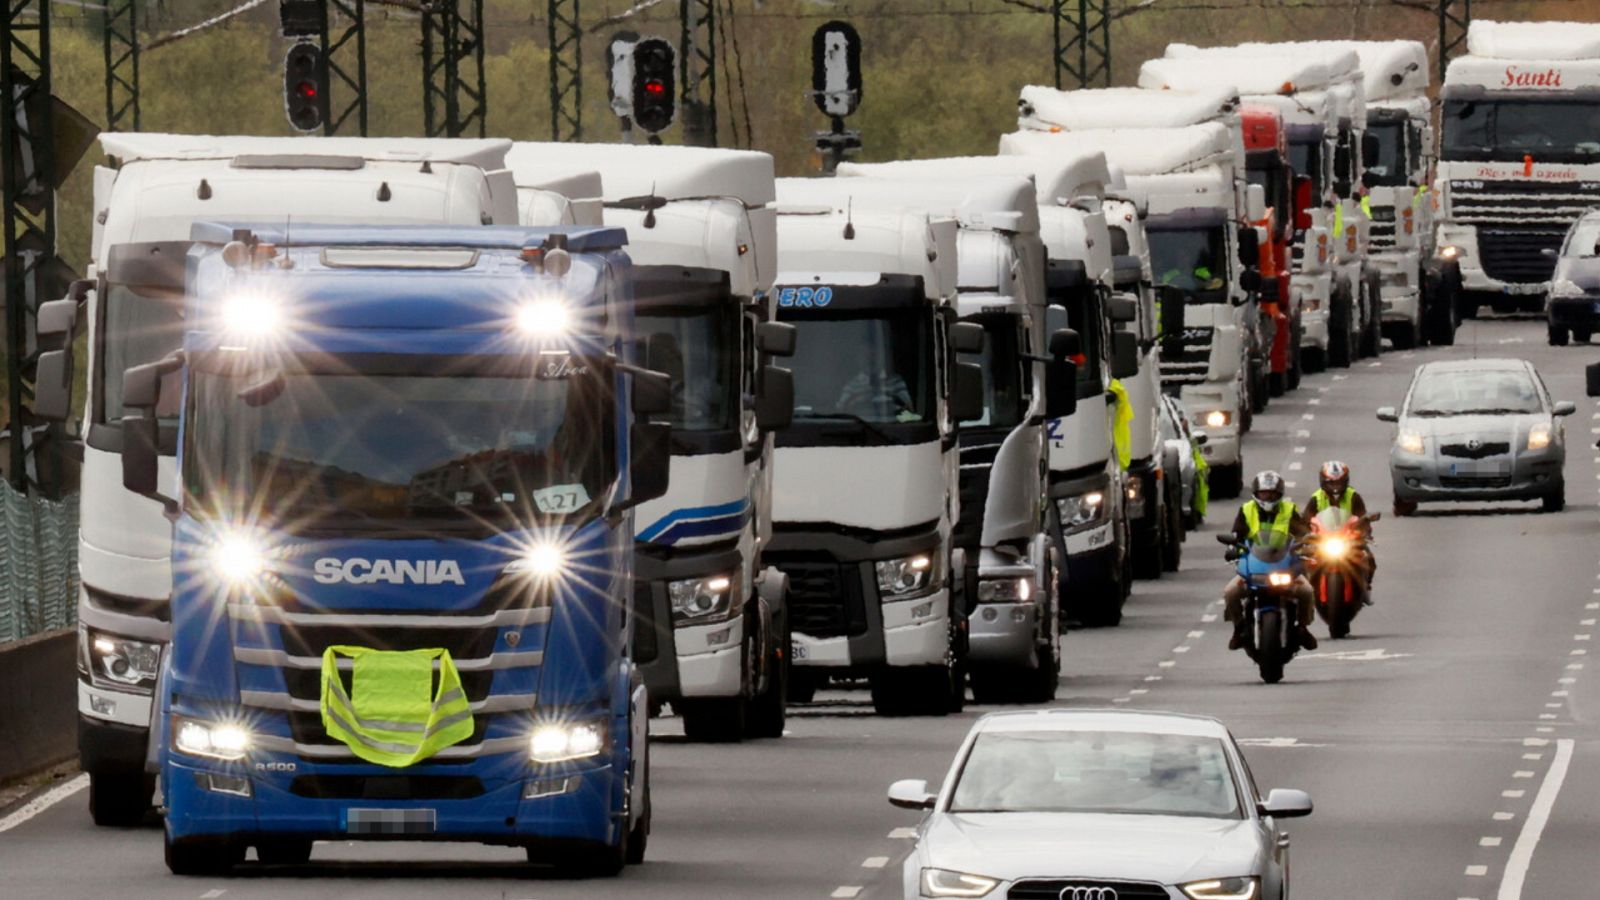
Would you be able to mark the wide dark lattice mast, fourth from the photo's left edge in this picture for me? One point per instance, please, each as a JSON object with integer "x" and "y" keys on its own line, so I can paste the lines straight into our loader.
{"x": 454, "y": 95}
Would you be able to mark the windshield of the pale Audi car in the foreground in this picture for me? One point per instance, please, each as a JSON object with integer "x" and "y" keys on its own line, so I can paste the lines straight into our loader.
{"x": 1103, "y": 773}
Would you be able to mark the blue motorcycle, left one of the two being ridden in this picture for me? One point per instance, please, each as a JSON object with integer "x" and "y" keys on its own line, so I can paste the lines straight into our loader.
{"x": 1270, "y": 576}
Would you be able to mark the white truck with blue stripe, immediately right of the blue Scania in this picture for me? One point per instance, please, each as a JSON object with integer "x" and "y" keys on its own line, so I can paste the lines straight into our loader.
{"x": 711, "y": 630}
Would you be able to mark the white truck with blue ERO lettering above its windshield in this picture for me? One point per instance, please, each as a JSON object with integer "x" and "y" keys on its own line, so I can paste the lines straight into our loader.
{"x": 866, "y": 486}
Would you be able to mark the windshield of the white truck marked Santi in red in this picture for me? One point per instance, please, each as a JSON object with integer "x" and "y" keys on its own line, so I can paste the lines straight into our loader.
{"x": 1562, "y": 131}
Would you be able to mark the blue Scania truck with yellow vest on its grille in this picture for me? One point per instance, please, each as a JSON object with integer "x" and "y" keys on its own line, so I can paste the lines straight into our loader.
{"x": 404, "y": 544}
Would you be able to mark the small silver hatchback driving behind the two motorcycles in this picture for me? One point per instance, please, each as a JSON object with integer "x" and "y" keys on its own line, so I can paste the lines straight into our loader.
{"x": 1478, "y": 430}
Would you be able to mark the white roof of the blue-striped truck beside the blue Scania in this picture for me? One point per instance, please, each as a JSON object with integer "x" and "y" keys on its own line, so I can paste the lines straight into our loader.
{"x": 641, "y": 171}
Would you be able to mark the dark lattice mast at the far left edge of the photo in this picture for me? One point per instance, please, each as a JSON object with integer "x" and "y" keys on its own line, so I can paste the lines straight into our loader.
{"x": 30, "y": 206}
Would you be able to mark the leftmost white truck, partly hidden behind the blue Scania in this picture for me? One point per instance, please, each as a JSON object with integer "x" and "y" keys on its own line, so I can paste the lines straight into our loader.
{"x": 146, "y": 199}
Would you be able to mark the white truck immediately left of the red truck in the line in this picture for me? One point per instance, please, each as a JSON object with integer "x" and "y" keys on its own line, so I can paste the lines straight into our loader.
{"x": 1186, "y": 182}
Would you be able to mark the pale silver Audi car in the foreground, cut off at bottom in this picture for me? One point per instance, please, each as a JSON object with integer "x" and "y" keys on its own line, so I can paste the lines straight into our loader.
{"x": 1098, "y": 805}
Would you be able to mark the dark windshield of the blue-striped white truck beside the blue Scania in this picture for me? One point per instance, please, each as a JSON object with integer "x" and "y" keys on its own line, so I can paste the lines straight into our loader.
{"x": 700, "y": 350}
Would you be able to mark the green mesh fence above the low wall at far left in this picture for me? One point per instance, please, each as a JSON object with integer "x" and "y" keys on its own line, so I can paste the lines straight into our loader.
{"x": 39, "y": 565}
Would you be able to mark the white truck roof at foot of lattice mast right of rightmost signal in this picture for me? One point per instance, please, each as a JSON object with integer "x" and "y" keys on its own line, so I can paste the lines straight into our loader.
{"x": 1122, "y": 108}
